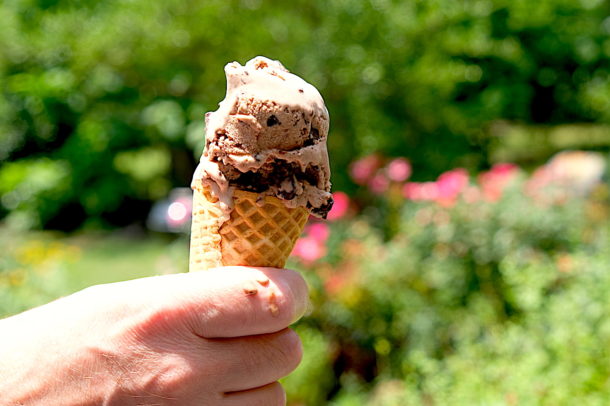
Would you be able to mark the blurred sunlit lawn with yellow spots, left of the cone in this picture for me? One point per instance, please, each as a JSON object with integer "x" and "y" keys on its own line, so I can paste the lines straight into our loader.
{"x": 38, "y": 267}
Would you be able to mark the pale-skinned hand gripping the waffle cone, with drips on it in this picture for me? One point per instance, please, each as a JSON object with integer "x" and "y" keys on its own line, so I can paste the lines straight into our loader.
{"x": 217, "y": 337}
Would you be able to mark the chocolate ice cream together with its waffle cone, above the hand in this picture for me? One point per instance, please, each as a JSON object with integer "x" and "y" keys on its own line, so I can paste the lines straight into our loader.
{"x": 263, "y": 171}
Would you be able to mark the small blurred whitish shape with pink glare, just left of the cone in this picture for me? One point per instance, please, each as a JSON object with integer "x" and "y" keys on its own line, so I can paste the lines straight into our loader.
{"x": 173, "y": 214}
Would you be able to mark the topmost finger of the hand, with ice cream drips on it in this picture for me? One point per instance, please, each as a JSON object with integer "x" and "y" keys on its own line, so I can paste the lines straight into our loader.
{"x": 243, "y": 301}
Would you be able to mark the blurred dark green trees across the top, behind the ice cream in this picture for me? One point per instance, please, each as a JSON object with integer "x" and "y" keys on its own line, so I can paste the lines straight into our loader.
{"x": 83, "y": 83}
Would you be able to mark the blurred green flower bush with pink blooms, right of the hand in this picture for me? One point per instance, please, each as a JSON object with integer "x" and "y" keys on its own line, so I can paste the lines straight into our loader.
{"x": 491, "y": 292}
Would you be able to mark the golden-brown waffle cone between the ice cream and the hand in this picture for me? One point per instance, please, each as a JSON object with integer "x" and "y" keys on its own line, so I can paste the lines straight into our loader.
{"x": 258, "y": 232}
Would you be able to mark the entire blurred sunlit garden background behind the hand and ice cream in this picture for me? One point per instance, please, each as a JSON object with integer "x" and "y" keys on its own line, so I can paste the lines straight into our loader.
{"x": 467, "y": 257}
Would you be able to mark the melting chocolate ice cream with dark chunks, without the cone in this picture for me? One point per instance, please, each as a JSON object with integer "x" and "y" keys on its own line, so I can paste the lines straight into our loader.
{"x": 268, "y": 136}
